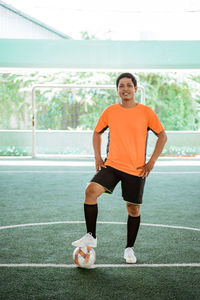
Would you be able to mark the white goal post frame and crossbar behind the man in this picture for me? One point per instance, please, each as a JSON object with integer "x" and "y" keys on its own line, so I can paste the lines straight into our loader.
{"x": 65, "y": 86}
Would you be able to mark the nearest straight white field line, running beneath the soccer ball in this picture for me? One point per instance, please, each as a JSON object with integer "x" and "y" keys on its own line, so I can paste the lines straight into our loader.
{"x": 100, "y": 265}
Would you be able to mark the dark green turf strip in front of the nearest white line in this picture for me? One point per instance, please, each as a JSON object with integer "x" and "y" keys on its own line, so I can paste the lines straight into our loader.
{"x": 108, "y": 283}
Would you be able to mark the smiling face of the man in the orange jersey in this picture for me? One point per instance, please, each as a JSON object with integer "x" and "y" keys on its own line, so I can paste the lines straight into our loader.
{"x": 126, "y": 89}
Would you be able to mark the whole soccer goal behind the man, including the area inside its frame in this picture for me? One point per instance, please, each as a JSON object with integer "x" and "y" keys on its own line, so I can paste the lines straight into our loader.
{"x": 64, "y": 115}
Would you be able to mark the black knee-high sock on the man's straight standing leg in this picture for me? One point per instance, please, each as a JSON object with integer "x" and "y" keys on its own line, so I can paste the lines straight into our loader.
{"x": 133, "y": 225}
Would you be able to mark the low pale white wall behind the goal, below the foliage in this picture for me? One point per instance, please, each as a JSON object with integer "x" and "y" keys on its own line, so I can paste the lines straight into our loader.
{"x": 74, "y": 142}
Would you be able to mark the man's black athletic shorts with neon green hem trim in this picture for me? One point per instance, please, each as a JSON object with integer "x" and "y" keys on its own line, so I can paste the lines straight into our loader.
{"x": 132, "y": 186}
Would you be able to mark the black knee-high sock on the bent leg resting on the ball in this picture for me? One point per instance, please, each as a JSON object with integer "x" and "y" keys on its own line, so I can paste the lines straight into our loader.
{"x": 91, "y": 212}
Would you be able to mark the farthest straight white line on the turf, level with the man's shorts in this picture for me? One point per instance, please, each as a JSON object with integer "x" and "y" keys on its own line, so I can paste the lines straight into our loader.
{"x": 81, "y": 172}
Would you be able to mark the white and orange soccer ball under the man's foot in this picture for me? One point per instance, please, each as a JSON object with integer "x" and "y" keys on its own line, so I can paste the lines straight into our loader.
{"x": 84, "y": 257}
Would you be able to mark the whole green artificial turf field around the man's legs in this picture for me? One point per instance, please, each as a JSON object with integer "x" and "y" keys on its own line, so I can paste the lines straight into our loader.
{"x": 169, "y": 199}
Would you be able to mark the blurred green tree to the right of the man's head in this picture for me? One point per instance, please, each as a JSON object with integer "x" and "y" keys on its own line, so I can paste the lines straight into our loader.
{"x": 172, "y": 99}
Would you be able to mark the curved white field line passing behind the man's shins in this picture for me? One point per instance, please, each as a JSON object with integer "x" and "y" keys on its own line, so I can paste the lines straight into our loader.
{"x": 99, "y": 222}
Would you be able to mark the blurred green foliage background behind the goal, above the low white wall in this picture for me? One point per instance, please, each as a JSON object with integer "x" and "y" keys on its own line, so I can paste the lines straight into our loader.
{"x": 174, "y": 96}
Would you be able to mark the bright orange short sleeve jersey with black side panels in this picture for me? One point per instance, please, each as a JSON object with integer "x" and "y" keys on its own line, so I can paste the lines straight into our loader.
{"x": 128, "y": 131}
